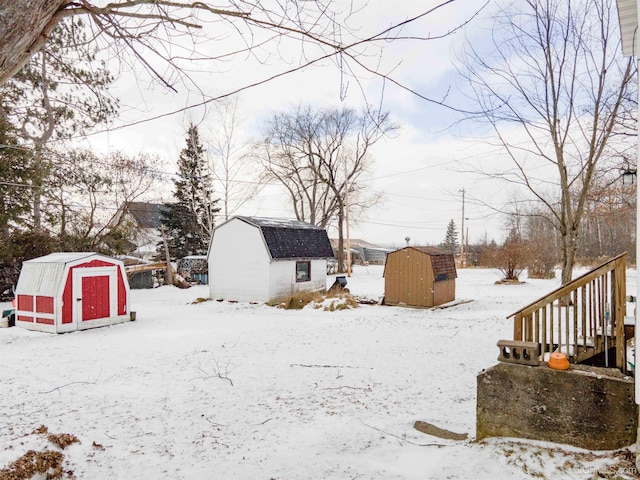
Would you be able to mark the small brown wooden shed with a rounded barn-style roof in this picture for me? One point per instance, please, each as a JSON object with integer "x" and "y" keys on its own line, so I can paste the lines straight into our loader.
{"x": 420, "y": 277}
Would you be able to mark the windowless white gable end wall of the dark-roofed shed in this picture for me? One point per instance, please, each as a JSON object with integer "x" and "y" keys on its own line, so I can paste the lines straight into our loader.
{"x": 238, "y": 263}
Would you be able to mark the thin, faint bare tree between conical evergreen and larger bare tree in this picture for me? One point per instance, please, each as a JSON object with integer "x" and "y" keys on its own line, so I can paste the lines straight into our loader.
{"x": 232, "y": 170}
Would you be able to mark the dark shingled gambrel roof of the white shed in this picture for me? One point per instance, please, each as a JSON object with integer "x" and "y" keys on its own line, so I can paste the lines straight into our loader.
{"x": 292, "y": 238}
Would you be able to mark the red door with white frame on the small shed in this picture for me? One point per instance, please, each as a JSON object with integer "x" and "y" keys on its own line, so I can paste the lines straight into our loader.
{"x": 95, "y": 292}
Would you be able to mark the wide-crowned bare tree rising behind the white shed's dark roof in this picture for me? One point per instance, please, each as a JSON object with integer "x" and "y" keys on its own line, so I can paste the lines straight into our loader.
{"x": 319, "y": 155}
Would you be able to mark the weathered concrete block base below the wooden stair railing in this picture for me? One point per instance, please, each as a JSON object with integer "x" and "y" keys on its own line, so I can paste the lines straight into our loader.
{"x": 587, "y": 407}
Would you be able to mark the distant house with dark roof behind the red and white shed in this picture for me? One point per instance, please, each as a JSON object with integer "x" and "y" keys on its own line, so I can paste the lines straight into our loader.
{"x": 145, "y": 220}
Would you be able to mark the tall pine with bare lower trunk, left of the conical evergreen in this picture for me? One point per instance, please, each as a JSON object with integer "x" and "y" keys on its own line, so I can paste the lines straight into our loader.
{"x": 63, "y": 91}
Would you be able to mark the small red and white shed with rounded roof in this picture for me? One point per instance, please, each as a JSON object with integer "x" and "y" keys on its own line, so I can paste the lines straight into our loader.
{"x": 64, "y": 292}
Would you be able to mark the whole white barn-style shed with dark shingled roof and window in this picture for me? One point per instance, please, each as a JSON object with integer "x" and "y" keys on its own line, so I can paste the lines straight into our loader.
{"x": 266, "y": 259}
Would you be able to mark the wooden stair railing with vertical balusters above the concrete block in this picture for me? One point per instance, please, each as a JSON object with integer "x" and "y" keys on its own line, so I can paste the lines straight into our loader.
{"x": 583, "y": 318}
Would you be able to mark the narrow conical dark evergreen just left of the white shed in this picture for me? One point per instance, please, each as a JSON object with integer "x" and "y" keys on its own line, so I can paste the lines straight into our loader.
{"x": 189, "y": 221}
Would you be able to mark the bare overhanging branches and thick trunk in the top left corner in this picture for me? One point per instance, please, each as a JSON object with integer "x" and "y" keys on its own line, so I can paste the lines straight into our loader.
{"x": 170, "y": 38}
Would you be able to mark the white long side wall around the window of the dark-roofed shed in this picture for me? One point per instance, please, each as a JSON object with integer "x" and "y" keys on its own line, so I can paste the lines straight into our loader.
{"x": 282, "y": 278}
